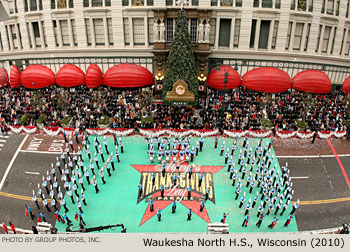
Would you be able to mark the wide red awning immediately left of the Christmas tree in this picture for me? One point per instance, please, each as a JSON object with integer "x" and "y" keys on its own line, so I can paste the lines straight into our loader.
{"x": 127, "y": 76}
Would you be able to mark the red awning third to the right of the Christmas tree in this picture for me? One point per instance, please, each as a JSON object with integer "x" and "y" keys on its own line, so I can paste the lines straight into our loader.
{"x": 312, "y": 81}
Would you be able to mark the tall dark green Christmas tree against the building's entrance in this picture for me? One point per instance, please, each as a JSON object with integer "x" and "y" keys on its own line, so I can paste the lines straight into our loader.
{"x": 181, "y": 63}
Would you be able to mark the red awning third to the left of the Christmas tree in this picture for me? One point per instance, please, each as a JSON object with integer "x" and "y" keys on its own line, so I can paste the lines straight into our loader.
{"x": 69, "y": 76}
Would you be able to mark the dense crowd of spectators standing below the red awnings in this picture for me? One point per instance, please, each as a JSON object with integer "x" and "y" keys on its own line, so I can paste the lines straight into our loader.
{"x": 237, "y": 109}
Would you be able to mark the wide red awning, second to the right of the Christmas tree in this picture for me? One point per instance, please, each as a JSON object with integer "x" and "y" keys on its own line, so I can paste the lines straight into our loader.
{"x": 267, "y": 80}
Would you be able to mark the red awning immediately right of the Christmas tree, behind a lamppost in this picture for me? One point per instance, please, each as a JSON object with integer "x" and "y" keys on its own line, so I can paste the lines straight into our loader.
{"x": 216, "y": 78}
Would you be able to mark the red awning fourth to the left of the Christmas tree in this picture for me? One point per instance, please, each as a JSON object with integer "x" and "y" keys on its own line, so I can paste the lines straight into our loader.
{"x": 37, "y": 76}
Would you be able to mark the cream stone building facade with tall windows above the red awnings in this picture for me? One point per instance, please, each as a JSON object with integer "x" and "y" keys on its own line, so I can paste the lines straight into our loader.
{"x": 293, "y": 35}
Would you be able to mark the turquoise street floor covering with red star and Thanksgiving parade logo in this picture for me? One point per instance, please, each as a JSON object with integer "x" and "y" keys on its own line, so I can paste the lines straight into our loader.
{"x": 118, "y": 202}
